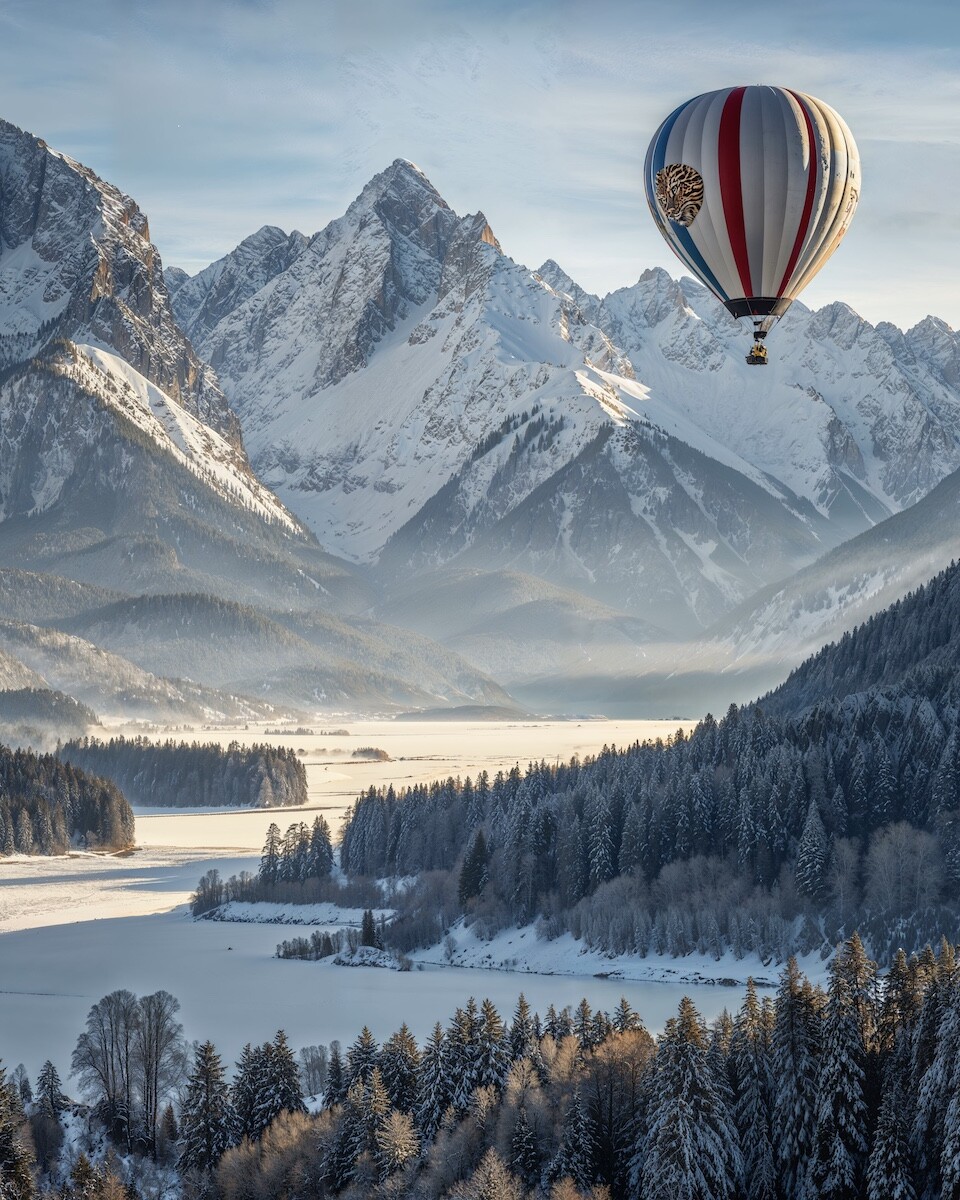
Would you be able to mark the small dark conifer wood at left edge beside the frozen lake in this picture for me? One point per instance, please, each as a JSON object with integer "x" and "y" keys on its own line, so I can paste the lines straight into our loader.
{"x": 47, "y": 806}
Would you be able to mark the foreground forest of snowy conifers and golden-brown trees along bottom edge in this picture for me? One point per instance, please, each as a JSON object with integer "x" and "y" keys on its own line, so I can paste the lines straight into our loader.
{"x": 842, "y": 1093}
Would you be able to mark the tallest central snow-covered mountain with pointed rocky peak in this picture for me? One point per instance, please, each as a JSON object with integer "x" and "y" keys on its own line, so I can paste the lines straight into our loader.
{"x": 422, "y": 401}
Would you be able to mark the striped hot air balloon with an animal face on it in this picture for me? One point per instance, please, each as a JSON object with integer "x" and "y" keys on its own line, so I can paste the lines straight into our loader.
{"x": 753, "y": 189}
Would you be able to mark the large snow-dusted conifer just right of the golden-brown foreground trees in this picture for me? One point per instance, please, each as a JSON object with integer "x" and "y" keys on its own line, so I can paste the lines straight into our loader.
{"x": 692, "y": 1148}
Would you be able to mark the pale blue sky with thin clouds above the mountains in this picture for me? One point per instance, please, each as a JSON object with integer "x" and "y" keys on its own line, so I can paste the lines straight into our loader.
{"x": 219, "y": 117}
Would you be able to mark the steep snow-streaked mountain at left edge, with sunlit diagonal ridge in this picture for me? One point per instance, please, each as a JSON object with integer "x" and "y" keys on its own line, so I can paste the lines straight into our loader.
{"x": 112, "y": 425}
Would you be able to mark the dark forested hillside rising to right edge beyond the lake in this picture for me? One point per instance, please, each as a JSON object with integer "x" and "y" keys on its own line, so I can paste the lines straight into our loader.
{"x": 754, "y": 833}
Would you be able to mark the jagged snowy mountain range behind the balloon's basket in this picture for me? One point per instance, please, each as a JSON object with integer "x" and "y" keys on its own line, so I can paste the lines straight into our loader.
{"x": 861, "y": 421}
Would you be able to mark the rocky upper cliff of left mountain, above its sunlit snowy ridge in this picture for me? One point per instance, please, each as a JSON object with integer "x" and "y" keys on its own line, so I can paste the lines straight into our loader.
{"x": 77, "y": 263}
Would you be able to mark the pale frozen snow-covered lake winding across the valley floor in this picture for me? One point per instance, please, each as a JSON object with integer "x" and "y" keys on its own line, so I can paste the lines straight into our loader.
{"x": 73, "y": 929}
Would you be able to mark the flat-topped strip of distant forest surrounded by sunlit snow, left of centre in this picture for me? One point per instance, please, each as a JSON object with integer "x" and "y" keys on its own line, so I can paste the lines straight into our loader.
{"x": 181, "y": 775}
